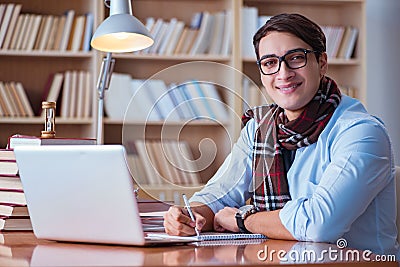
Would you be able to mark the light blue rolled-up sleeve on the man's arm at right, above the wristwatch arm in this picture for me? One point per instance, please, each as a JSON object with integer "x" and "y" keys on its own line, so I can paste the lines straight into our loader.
{"x": 358, "y": 166}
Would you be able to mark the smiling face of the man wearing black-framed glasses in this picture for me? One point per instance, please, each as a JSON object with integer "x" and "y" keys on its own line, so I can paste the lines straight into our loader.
{"x": 291, "y": 89}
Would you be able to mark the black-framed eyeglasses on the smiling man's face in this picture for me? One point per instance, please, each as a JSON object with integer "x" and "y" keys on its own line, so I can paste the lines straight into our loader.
{"x": 294, "y": 59}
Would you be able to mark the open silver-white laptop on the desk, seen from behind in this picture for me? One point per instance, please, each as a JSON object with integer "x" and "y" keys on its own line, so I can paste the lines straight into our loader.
{"x": 81, "y": 193}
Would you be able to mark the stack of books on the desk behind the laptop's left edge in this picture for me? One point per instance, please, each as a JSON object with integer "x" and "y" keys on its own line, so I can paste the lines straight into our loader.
{"x": 14, "y": 214}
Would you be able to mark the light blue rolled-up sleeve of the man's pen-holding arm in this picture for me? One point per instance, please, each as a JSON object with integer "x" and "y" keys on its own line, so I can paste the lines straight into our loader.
{"x": 230, "y": 184}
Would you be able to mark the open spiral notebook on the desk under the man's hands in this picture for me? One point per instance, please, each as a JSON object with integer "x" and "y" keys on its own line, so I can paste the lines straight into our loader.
{"x": 209, "y": 236}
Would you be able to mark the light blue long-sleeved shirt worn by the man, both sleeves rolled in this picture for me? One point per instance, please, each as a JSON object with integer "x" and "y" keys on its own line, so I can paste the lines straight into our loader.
{"x": 342, "y": 186}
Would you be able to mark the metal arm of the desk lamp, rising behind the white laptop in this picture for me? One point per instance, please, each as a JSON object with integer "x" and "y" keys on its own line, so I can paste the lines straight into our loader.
{"x": 107, "y": 67}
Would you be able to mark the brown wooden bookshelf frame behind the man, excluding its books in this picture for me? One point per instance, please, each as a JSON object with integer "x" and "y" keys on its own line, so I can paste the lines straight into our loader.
{"x": 209, "y": 140}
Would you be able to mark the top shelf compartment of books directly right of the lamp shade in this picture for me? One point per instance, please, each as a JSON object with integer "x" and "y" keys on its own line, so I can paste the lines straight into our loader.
{"x": 196, "y": 31}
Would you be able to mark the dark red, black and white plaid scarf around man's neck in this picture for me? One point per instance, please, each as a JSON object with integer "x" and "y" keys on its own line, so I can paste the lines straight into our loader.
{"x": 269, "y": 185}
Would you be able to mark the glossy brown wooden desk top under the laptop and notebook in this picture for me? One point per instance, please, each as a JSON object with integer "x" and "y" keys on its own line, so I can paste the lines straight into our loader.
{"x": 23, "y": 249}
